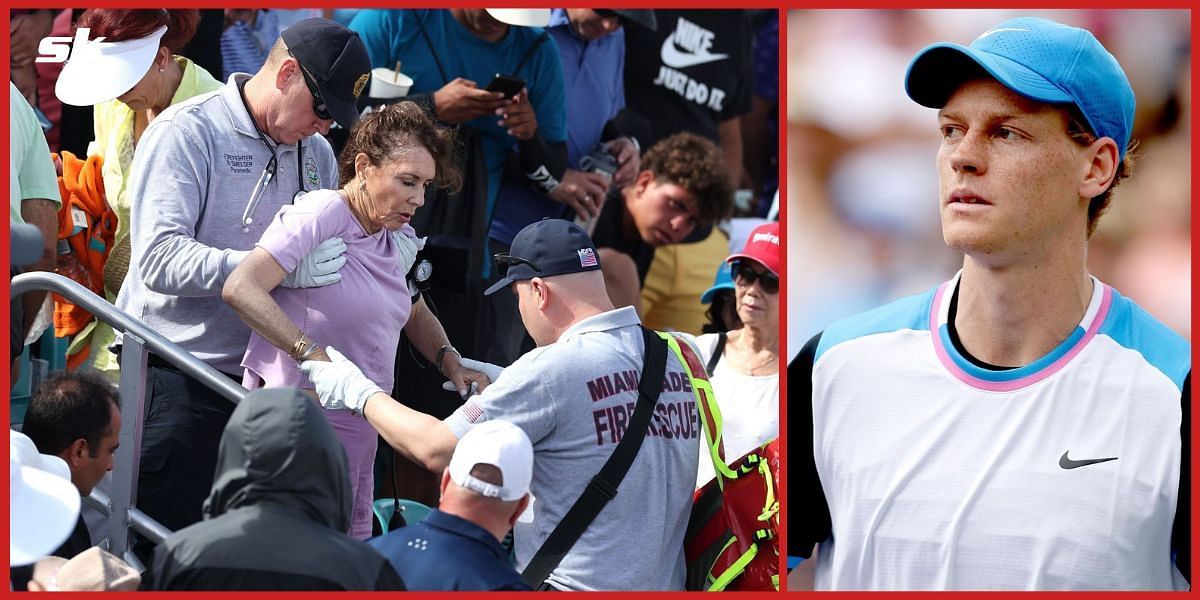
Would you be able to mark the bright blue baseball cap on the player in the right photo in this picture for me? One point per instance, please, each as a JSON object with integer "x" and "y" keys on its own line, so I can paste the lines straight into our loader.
{"x": 1039, "y": 59}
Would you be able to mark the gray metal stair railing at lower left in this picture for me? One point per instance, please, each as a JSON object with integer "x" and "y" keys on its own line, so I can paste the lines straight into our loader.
{"x": 140, "y": 340}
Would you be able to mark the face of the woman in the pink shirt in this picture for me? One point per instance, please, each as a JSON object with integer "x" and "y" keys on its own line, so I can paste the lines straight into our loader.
{"x": 397, "y": 188}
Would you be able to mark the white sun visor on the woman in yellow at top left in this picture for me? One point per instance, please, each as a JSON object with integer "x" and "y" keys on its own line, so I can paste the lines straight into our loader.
{"x": 103, "y": 71}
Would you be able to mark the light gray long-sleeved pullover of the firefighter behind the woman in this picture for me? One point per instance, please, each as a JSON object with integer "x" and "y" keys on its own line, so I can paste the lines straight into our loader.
{"x": 194, "y": 173}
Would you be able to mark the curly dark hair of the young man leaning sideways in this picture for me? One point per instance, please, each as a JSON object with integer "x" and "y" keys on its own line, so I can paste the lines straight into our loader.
{"x": 694, "y": 164}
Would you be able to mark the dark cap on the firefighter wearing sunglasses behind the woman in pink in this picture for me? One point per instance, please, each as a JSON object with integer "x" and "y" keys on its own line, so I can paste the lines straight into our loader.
{"x": 337, "y": 61}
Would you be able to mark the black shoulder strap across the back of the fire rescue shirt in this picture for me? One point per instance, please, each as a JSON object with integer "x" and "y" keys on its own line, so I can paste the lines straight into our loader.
{"x": 604, "y": 487}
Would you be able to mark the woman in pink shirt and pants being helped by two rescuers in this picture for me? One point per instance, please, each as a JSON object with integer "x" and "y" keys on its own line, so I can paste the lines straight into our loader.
{"x": 391, "y": 159}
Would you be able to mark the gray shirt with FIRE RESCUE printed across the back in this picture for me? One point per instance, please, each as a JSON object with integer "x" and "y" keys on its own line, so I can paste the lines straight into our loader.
{"x": 574, "y": 399}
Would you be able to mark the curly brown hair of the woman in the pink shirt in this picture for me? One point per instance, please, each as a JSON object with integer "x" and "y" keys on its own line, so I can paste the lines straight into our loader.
{"x": 386, "y": 133}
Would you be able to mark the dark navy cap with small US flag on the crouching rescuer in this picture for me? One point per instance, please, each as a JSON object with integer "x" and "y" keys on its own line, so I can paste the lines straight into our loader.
{"x": 545, "y": 249}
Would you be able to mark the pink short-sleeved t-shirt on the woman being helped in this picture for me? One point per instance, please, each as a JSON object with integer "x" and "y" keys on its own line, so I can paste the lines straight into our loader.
{"x": 362, "y": 316}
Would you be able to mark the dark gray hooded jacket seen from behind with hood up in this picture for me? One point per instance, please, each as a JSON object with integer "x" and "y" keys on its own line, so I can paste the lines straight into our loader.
{"x": 279, "y": 511}
